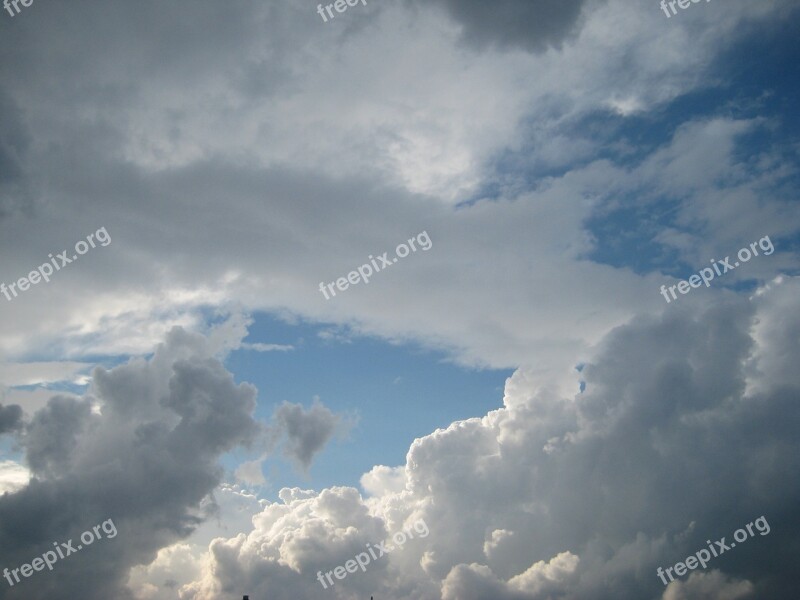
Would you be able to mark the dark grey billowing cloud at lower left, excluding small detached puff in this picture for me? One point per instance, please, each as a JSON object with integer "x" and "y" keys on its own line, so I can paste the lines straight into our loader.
{"x": 146, "y": 459}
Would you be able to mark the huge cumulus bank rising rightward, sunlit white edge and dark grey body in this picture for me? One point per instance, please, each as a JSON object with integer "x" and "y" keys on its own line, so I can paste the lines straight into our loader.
{"x": 571, "y": 496}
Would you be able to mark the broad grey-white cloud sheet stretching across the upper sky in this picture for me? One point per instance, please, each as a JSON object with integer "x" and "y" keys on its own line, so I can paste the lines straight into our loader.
{"x": 401, "y": 166}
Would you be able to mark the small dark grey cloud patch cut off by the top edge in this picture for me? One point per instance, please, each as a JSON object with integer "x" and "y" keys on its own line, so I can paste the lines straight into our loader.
{"x": 529, "y": 24}
